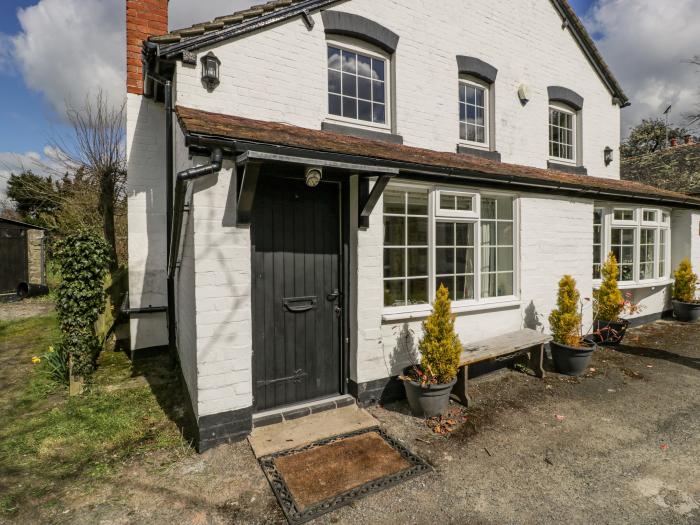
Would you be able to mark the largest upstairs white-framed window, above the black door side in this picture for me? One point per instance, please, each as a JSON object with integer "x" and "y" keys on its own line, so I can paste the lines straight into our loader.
{"x": 358, "y": 85}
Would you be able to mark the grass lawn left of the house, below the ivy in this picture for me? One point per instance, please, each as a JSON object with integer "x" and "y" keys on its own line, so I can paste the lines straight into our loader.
{"x": 51, "y": 444}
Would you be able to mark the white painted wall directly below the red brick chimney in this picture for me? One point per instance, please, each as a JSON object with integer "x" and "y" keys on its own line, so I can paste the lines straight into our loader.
{"x": 145, "y": 143}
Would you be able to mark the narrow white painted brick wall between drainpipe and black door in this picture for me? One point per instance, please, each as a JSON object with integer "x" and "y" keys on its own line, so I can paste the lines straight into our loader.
{"x": 222, "y": 296}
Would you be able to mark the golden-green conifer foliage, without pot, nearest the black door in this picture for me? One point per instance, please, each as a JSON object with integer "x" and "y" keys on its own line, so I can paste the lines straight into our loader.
{"x": 440, "y": 346}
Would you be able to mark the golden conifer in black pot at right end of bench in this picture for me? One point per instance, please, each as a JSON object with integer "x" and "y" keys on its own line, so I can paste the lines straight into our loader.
{"x": 570, "y": 351}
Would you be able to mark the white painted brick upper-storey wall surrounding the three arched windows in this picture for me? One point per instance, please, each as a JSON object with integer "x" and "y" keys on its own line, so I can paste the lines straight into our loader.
{"x": 279, "y": 74}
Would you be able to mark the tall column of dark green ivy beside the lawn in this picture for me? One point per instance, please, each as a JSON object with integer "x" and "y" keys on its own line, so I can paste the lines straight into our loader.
{"x": 84, "y": 258}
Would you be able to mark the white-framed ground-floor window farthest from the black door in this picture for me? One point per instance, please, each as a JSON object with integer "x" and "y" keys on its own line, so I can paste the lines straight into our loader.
{"x": 639, "y": 239}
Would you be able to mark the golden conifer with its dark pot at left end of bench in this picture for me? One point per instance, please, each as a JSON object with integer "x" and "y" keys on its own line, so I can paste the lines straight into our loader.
{"x": 428, "y": 385}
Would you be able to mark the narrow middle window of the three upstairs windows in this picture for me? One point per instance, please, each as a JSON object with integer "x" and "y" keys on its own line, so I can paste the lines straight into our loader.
{"x": 474, "y": 113}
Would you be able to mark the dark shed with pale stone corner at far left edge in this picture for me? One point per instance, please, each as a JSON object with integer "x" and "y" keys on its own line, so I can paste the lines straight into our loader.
{"x": 22, "y": 255}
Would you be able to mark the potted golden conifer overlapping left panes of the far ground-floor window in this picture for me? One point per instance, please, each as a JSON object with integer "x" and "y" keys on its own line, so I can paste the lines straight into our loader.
{"x": 609, "y": 305}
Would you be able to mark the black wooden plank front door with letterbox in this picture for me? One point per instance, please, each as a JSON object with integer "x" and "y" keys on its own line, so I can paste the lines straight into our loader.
{"x": 296, "y": 291}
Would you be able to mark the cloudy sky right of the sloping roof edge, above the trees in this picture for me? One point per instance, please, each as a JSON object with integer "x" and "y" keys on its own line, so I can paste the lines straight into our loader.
{"x": 647, "y": 44}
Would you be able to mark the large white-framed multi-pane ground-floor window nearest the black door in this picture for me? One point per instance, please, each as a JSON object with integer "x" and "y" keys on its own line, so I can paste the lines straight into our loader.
{"x": 471, "y": 246}
